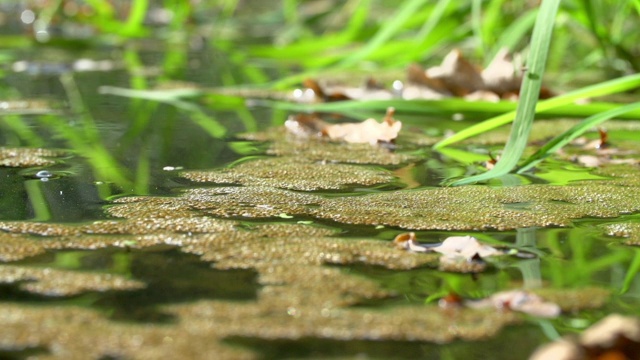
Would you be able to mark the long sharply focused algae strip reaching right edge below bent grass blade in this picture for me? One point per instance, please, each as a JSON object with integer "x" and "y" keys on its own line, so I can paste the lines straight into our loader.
{"x": 465, "y": 208}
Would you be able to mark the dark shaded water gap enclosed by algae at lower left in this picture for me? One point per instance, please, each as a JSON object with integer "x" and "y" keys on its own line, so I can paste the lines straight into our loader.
{"x": 170, "y": 276}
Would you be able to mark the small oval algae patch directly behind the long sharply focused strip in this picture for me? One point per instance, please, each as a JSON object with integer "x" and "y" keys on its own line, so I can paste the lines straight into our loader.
{"x": 292, "y": 173}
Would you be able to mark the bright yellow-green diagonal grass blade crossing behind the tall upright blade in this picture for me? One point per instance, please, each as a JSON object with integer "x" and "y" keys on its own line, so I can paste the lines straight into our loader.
{"x": 604, "y": 88}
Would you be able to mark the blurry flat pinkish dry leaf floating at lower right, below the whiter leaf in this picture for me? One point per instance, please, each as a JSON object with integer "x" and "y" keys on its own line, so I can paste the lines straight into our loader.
{"x": 519, "y": 300}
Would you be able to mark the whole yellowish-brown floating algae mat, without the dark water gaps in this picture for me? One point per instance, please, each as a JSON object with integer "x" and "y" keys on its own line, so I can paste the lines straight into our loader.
{"x": 302, "y": 294}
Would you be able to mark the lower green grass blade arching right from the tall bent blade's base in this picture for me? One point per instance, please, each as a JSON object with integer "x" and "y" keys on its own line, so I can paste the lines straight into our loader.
{"x": 561, "y": 140}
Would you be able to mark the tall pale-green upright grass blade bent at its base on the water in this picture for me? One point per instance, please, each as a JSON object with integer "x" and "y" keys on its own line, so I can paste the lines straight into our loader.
{"x": 529, "y": 93}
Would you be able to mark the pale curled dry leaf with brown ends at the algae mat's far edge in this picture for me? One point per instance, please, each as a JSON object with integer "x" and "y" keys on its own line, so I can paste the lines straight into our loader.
{"x": 368, "y": 131}
